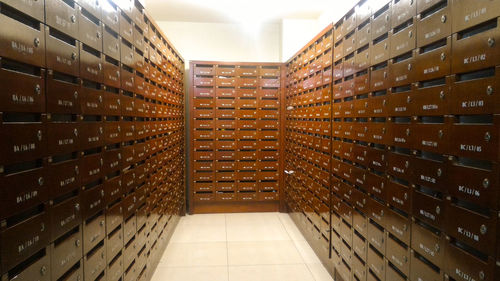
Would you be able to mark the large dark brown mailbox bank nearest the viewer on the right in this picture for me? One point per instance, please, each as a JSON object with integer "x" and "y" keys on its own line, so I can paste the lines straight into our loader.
{"x": 415, "y": 141}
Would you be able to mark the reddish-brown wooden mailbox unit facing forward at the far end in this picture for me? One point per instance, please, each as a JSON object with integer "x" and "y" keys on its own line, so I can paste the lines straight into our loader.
{"x": 235, "y": 132}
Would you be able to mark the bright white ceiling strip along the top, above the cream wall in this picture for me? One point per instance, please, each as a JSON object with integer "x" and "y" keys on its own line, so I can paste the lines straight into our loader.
{"x": 262, "y": 11}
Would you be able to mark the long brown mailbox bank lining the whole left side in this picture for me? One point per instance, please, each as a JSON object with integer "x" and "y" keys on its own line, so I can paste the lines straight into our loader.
{"x": 86, "y": 131}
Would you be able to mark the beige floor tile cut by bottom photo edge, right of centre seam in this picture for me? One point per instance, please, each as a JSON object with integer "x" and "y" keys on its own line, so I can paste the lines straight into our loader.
{"x": 295, "y": 272}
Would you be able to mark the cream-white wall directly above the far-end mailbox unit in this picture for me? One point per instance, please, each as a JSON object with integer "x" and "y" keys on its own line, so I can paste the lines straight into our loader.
{"x": 224, "y": 41}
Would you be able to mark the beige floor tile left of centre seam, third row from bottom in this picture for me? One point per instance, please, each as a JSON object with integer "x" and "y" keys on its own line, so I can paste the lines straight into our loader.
{"x": 188, "y": 233}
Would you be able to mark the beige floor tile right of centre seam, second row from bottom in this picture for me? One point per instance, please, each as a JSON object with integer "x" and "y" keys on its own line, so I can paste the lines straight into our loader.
{"x": 263, "y": 252}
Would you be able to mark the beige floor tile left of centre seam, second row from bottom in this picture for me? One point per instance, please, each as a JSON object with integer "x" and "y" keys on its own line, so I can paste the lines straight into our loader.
{"x": 195, "y": 254}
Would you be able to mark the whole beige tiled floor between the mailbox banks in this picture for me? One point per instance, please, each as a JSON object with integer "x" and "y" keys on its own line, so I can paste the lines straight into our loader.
{"x": 239, "y": 247}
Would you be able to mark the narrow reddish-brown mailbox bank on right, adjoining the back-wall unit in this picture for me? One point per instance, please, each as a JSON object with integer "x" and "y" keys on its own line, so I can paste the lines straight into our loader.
{"x": 308, "y": 143}
